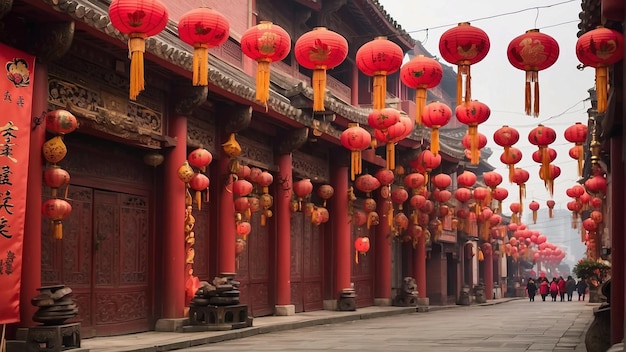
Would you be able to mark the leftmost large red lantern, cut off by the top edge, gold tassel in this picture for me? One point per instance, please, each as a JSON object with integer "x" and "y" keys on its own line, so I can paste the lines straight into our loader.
{"x": 139, "y": 19}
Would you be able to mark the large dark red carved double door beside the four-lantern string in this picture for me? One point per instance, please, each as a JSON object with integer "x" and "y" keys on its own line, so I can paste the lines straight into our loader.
{"x": 104, "y": 258}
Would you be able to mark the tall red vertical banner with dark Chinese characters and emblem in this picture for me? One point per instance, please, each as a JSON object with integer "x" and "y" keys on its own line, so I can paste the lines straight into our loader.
{"x": 16, "y": 87}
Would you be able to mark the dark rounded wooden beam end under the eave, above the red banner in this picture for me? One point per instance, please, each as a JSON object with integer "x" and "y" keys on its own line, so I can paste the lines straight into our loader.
{"x": 53, "y": 40}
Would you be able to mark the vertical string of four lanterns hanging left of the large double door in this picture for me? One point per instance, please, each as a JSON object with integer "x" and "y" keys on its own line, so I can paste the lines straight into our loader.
{"x": 57, "y": 208}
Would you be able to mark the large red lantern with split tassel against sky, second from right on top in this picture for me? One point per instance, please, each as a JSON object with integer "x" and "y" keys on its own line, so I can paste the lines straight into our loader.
{"x": 532, "y": 52}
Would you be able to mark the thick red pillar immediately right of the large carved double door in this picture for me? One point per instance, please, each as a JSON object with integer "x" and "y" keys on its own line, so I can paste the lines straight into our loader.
{"x": 173, "y": 259}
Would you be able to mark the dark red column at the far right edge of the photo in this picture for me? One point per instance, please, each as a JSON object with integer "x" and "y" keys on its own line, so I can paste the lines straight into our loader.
{"x": 616, "y": 228}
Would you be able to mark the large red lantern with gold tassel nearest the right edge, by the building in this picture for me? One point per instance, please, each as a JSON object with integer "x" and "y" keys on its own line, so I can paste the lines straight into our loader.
{"x": 600, "y": 48}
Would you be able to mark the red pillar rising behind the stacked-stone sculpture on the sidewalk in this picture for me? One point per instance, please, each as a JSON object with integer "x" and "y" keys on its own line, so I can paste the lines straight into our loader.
{"x": 226, "y": 225}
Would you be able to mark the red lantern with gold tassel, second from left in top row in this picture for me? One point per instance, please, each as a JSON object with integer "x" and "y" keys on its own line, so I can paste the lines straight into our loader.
{"x": 202, "y": 28}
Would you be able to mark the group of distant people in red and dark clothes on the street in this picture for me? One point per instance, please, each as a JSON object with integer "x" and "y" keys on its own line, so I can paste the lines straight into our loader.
{"x": 558, "y": 287}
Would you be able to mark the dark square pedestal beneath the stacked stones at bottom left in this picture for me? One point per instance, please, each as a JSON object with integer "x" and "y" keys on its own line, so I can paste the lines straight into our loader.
{"x": 53, "y": 338}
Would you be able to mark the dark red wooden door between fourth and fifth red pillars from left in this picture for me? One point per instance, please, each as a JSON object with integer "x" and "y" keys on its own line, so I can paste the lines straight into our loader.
{"x": 306, "y": 264}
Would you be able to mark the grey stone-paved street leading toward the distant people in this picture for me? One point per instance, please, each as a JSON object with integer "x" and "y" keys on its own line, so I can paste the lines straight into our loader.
{"x": 513, "y": 326}
